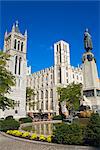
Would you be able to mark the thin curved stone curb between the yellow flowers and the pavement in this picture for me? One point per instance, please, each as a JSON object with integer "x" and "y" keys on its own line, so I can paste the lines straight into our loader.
{"x": 76, "y": 147}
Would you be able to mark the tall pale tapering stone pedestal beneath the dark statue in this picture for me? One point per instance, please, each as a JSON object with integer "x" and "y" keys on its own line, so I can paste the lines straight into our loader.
{"x": 91, "y": 86}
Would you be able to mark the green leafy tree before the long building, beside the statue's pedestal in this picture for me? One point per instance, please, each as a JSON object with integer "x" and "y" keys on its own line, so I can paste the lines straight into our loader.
{"x": 71, "y": 94}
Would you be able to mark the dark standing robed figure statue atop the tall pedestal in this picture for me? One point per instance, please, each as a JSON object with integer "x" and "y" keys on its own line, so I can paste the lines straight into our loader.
{"x": 87, "y": 41}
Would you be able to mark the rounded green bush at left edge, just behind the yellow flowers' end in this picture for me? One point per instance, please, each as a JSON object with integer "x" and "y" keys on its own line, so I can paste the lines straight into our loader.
{"x": 9, "y": 125}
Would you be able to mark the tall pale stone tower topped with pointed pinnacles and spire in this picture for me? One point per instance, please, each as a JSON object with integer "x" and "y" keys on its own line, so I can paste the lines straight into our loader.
{"x": 15, "y": 44}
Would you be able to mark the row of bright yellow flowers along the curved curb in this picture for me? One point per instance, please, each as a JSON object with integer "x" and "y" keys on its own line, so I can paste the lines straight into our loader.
{"x": 29, "y": 136}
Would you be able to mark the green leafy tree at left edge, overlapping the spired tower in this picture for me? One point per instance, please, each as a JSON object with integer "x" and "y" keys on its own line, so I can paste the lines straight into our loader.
{"x": 7, "y": 80}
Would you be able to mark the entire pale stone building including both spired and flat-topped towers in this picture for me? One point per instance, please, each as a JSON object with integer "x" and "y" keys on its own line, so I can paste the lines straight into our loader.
{"x": 44, "y": 82}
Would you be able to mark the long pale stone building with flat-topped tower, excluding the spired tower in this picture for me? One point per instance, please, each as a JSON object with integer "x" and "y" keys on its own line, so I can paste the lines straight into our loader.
{"x": 45, "y": 82}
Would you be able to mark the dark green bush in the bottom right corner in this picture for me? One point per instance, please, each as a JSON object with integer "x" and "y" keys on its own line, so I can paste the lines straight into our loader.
{"x": 92, "y": 131}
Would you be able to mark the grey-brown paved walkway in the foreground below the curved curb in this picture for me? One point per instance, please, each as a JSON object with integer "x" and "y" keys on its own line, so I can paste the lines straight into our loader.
{"x": 9, "y": 143}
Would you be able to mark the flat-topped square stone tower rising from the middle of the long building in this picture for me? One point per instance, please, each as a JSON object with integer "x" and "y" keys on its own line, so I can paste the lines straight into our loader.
{"x": 61, "y": 60}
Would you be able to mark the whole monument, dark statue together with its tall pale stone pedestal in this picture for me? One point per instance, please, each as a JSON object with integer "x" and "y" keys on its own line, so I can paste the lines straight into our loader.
{"x": 91, "y": 83}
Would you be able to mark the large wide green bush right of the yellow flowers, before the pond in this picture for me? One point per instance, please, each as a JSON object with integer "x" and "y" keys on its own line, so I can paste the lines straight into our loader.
{"x": 68, "y": 134}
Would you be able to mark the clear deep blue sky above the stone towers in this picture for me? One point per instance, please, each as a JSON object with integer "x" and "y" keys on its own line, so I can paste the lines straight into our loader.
{"x": 50, "y": 21}
